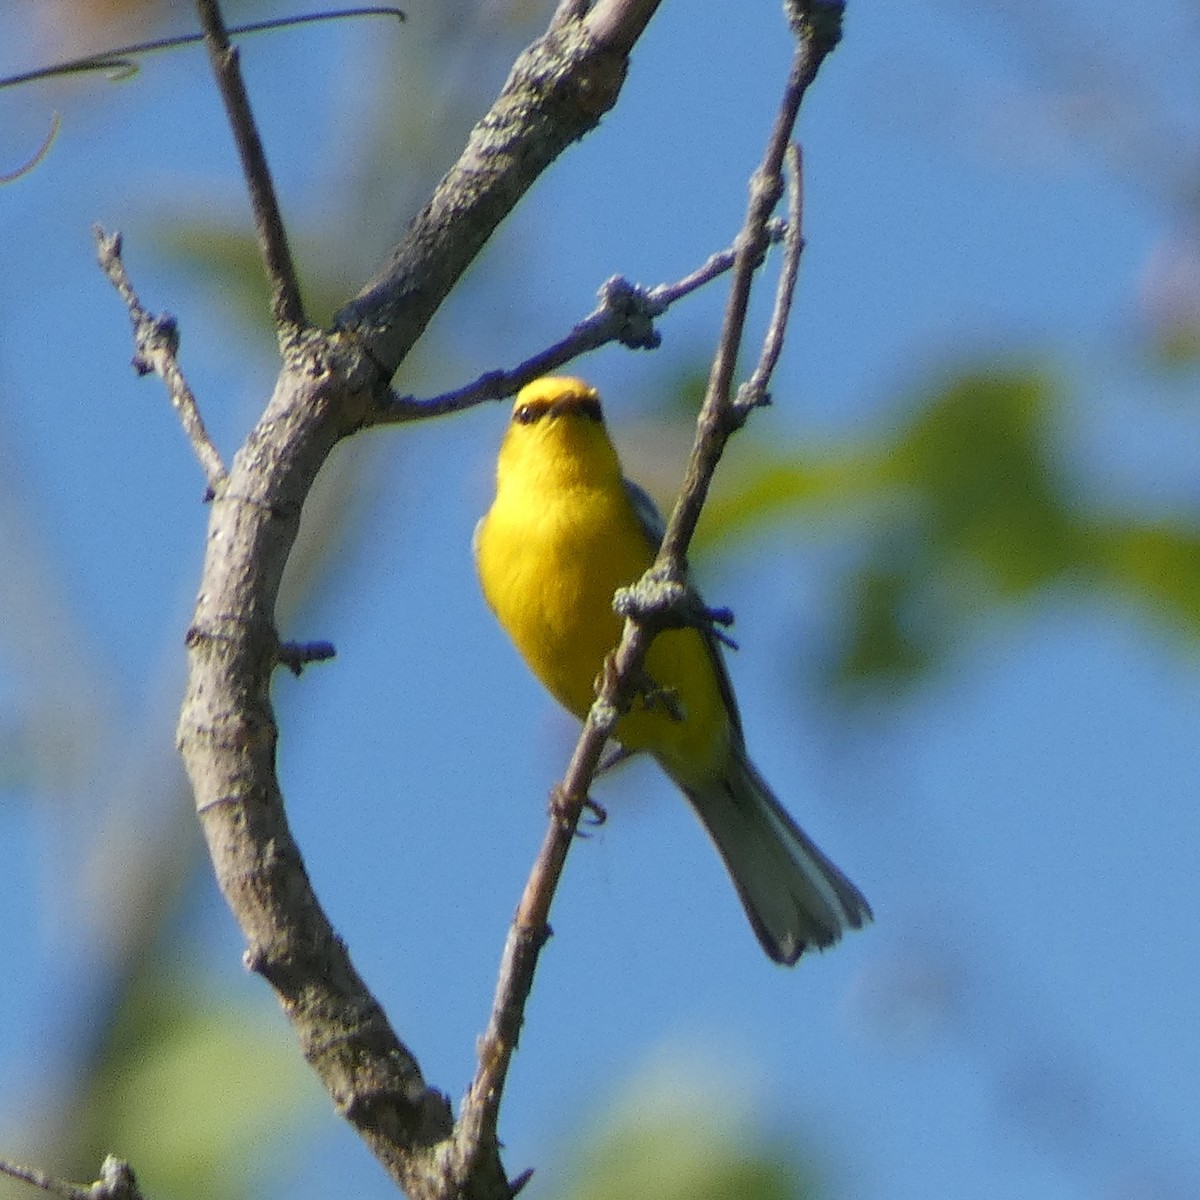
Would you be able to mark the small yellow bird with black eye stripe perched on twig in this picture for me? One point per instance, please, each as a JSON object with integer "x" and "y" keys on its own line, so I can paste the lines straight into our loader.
{"x": 563, "y": 533}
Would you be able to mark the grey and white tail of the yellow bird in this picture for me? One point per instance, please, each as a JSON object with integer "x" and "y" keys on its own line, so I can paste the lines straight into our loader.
{"x": 794, "y": 896}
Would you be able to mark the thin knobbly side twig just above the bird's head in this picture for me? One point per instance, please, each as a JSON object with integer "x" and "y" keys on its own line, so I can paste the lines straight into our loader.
{"x": 626, "y": 314}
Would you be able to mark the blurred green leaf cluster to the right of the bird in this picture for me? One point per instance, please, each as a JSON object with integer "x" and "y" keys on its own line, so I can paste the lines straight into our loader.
{"x": 965, "y": 509}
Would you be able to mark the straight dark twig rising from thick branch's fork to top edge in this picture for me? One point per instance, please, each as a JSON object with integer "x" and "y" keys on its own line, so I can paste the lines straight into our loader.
{"x": 287, "y": 307}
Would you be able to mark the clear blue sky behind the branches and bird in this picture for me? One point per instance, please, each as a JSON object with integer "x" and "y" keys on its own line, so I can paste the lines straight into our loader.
{"x": 1022, "y": 1018}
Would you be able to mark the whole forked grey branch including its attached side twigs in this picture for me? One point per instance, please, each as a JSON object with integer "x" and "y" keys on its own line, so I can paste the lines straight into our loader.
{"x": 332, "y": 386}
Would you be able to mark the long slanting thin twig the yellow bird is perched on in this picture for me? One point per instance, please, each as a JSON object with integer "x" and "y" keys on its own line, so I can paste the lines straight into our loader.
{"x": 623, "y": 670}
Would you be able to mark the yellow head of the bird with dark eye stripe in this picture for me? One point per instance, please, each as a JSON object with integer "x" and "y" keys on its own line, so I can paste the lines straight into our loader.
{"x": 557, "y": 436}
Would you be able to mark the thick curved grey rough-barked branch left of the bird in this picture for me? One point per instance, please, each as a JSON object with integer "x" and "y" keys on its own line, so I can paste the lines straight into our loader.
{"x": 328, "y": 388}
